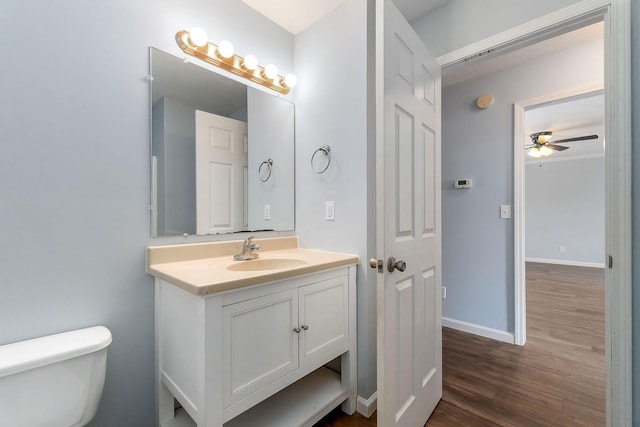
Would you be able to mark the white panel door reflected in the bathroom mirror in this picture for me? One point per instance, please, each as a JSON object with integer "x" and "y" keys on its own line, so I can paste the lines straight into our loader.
{"x": 221, "y": 163}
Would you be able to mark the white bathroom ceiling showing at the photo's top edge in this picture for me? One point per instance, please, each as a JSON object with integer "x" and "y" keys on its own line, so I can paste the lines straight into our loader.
{"x": 296, "y": 15}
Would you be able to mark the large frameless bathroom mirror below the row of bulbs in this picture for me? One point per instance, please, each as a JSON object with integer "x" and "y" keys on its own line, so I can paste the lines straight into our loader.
{"x": 222, "y": 153}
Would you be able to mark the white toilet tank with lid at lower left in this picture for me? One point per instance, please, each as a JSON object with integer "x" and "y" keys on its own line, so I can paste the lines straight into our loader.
{"x": 53, "y": 381}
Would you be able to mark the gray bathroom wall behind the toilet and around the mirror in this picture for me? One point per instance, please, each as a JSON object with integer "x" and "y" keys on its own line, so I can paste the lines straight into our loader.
{"x": 75, "y": 170}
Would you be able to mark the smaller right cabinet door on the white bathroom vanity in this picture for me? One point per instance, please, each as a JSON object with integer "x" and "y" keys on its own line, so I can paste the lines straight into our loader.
{"x": 324, "y": 319}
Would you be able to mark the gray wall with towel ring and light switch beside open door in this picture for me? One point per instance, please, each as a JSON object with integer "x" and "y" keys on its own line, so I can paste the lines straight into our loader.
{"x": 331, "y": 108}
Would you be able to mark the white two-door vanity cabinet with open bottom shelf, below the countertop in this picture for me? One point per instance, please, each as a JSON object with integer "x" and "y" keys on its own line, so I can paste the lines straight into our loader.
{"x": 256, "y": 356}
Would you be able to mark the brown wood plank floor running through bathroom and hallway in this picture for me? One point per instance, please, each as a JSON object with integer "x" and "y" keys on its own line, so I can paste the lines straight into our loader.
{"x": 556, "y": 379}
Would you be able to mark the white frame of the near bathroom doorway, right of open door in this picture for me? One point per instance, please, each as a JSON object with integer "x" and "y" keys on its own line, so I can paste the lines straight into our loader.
{"x": 617, "y": 45}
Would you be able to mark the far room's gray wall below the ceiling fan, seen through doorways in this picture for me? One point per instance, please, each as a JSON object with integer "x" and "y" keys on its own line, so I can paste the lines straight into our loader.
{"x": 564, "y": 206}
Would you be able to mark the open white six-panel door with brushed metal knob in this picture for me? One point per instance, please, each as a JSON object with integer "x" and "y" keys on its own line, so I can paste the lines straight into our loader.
{"x": 409, "y": 301}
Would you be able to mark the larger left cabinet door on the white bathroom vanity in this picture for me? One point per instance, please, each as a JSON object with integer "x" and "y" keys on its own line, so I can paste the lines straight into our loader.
{"x": 259, "y": 343}
